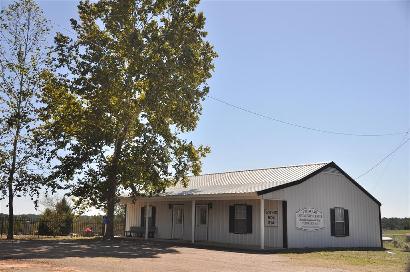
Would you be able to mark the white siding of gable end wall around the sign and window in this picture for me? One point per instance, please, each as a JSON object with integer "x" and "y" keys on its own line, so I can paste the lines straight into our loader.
{"x": 325, "y": 191}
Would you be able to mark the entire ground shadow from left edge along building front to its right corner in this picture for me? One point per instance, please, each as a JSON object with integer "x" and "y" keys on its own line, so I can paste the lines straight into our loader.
{"x": 123, "y": 248}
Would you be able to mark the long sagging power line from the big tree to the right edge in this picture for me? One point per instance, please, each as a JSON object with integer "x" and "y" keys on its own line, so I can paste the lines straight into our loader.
{"x": 302, "y": 126}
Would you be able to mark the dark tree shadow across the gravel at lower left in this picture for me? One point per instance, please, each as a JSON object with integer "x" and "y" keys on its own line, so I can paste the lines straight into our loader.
{"x": 56, "y": 249}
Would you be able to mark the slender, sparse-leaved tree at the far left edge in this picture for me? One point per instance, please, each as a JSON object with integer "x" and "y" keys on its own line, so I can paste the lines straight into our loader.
{"x": 23, "y": 30}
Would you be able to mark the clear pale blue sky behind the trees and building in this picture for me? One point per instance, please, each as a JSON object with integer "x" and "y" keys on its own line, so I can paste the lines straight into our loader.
{"x": 333, "y": 65}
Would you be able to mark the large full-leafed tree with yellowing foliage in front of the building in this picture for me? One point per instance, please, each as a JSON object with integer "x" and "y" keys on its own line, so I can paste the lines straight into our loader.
{"x": 121, "y": 96}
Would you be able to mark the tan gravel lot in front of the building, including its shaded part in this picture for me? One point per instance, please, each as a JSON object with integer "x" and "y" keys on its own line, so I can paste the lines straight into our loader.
{"x": 138, "y": 255}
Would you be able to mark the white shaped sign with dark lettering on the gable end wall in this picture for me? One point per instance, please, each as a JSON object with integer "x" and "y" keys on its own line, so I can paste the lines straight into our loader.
{"x": 309, "y": 219}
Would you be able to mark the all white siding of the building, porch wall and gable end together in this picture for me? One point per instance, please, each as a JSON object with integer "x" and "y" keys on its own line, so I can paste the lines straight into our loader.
{"x": 324, "y": 191}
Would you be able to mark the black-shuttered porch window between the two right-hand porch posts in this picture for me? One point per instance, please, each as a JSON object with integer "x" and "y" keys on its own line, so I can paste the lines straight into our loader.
{"x": 240, "y": 219}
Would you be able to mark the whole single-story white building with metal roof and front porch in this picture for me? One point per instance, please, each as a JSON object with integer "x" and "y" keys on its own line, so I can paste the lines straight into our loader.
{"x": 312, "y": 206}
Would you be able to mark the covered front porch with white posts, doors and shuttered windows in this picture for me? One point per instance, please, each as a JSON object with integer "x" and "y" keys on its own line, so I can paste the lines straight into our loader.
{"x": 245, "y": 221}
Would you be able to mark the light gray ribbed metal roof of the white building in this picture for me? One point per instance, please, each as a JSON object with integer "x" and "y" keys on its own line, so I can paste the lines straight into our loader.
{"x": 245, "y": 181}
